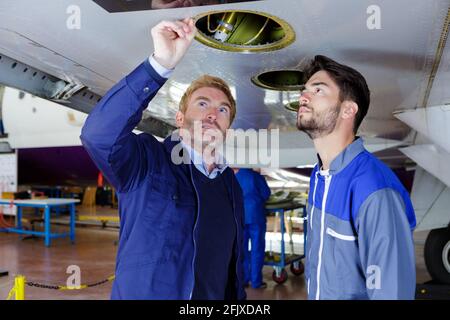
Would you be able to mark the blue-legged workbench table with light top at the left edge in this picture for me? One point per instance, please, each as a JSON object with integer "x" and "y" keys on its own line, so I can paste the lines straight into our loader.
{"x": 47, "y": 204}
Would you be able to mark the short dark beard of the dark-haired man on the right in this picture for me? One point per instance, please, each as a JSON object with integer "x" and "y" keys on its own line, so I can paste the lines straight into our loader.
{"x": 321, "y": 124}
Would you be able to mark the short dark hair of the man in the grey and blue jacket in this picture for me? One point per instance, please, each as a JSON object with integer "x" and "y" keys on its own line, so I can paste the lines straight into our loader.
{"x": 351, "y": 83}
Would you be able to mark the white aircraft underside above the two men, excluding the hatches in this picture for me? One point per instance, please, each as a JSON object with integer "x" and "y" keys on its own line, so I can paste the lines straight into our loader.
{"x": 406, "y": 63}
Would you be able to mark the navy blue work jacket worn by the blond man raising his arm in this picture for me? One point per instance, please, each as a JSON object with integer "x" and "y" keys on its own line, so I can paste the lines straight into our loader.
{"x": 158, "y": 199}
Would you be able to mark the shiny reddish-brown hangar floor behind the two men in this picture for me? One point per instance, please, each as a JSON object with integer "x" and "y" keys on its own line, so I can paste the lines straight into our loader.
{"x": 95, "y": 253}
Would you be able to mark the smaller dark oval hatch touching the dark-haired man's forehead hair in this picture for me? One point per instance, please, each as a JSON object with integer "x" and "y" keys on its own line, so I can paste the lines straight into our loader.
{"x": 280, "y": 80}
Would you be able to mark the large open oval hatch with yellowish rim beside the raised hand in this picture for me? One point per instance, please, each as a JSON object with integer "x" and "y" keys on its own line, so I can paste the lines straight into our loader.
{"x": 243, "y": 31}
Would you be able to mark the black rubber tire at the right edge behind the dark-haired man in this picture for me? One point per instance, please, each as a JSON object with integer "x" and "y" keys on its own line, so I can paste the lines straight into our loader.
{"x": 435, "y": 243}
